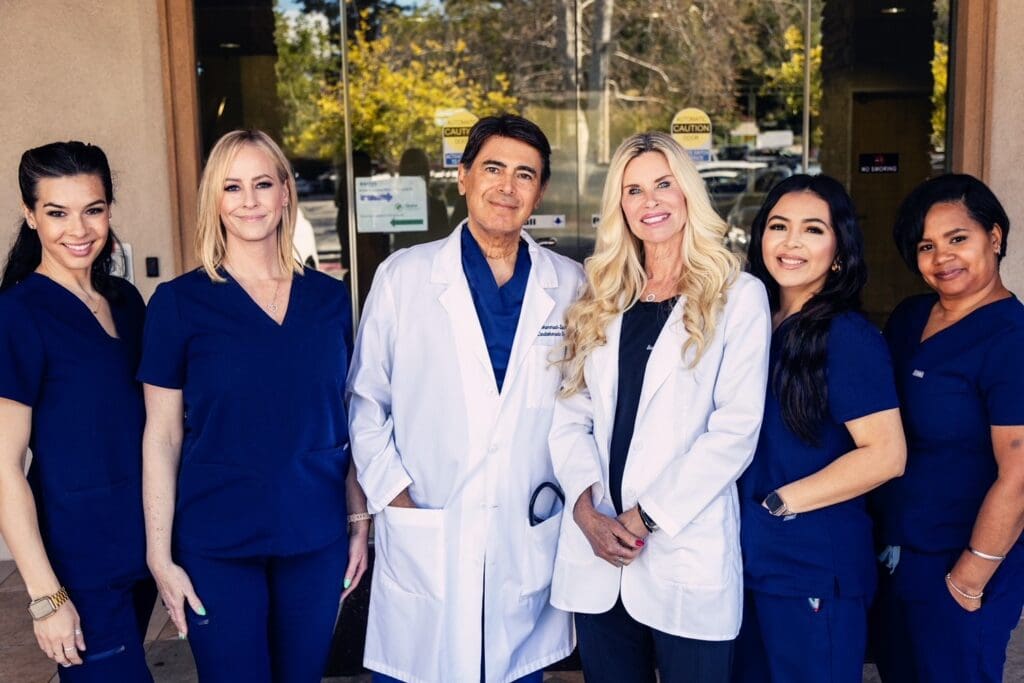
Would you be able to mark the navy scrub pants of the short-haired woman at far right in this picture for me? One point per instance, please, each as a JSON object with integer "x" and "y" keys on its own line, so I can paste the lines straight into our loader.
{"x": 921, "y": 635}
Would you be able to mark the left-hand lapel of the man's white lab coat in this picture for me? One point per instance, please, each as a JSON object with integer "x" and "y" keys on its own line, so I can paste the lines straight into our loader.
{"x": 458, "y": 302}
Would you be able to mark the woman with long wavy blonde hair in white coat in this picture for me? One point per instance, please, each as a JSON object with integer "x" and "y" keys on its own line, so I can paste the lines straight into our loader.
{"x": 659, "y": 415}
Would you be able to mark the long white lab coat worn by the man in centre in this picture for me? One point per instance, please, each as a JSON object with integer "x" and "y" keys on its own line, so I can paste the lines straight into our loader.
{"x": 425, "y": 413}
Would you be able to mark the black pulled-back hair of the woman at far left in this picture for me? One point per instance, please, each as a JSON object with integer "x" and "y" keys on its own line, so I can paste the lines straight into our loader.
{"x": 59, "y": 160}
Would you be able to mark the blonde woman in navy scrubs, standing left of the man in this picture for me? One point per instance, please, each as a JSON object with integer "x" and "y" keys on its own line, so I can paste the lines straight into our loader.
{"x": 246, "y": 457}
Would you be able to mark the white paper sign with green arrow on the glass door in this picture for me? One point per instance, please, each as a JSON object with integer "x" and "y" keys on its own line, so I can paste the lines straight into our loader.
{"x": 392, "y": 205}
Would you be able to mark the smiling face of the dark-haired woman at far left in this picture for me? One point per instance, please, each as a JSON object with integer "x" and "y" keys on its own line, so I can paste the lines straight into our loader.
{"x": 73, "y": 220}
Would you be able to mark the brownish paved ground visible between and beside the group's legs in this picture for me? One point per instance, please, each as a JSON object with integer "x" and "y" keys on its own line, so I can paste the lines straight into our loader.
{"x": 170, "y": 660}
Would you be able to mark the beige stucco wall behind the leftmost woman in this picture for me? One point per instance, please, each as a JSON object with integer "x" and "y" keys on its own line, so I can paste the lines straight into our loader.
{"x": 90, "y": 71}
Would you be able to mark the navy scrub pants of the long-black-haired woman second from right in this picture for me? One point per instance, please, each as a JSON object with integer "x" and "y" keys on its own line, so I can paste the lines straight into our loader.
{"x": 801, "y": 641}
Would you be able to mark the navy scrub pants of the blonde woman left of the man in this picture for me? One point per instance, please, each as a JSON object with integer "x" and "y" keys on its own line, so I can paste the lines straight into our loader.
{"x": 269, "y": 620}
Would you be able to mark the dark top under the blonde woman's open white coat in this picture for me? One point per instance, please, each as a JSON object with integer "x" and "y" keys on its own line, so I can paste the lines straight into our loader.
{"x": 642, "y": 326}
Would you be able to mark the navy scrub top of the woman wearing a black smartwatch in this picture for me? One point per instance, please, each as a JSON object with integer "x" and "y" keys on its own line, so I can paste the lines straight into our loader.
{"x": 827, "y": 552}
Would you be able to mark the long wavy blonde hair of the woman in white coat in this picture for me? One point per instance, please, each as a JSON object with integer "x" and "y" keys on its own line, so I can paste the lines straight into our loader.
{"x": 616, "y": 275}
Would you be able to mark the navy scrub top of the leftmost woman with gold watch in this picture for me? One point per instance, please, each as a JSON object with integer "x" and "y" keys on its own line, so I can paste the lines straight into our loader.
{"x": 88, "y": 419}
